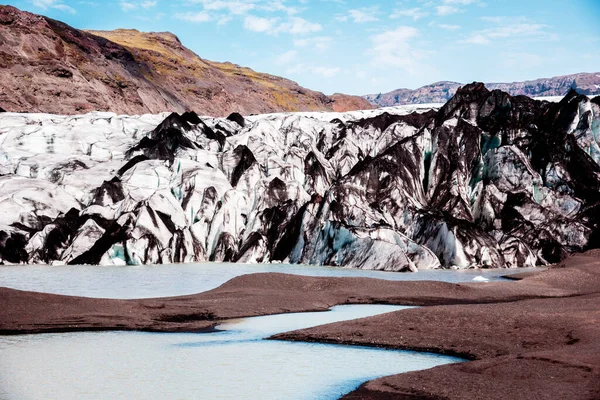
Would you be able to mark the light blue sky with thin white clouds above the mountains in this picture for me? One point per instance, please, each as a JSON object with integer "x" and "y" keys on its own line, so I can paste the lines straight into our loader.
{"x": 364, "y": 47}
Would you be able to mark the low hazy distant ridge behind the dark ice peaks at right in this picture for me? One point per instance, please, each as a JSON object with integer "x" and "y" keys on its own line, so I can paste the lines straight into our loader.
{"x": 440, "y": 92}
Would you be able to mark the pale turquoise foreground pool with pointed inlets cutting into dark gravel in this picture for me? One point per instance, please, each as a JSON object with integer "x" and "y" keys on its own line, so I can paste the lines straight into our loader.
{"x": 233, "y": 363}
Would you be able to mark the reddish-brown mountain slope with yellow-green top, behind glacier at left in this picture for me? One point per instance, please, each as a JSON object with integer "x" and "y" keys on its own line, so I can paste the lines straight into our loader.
{"x": 48, "y": 66}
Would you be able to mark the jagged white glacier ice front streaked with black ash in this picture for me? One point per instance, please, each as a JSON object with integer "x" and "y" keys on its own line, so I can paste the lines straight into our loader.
{"x": 487, "y": 180}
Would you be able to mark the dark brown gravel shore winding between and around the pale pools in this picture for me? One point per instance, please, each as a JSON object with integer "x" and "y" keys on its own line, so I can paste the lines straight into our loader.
{"x": 536, "y": 338}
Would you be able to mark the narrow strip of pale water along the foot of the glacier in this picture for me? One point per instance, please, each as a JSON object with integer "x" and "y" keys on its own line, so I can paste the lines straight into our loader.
{"x": 173, "y": 280}
